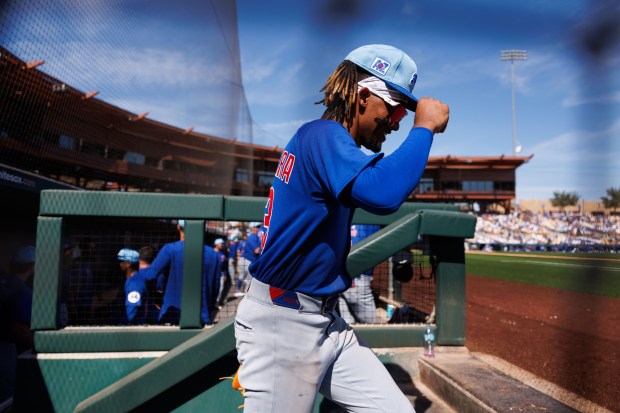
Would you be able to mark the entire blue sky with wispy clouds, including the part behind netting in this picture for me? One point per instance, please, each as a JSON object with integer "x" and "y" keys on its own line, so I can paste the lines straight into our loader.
{"x": 178, "y": 61}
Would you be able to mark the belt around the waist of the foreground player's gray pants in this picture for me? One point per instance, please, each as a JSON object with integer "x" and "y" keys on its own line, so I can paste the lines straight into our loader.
{"x": 305, "y": 303}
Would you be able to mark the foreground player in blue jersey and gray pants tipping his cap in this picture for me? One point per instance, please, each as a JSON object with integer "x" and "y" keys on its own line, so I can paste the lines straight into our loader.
{"x": 291, "y": 343}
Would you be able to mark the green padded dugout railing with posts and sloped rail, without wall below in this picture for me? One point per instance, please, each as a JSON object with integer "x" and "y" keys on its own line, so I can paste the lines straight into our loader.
{"x": 190, "y": 348}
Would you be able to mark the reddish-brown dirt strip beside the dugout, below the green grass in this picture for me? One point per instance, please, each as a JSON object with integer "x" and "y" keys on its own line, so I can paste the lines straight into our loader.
{"x": 566, "y": 338}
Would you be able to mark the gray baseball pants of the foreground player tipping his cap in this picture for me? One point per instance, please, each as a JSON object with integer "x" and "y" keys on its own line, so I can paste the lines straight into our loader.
{"x": 296, "y": 346}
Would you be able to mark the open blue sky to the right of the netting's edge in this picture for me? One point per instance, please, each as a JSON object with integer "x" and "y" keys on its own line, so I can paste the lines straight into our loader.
{"x": 566, "y": 103}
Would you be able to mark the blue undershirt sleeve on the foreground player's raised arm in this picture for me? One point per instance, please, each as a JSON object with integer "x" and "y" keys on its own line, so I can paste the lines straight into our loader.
{"x": 402, "y": 170}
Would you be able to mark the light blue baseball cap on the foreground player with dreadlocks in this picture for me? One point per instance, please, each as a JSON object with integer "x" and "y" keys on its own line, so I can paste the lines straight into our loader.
{"x": 391, "y": 65}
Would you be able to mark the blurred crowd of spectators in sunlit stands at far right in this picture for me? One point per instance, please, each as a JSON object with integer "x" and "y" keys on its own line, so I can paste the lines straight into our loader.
{"x": 550, "y": 230}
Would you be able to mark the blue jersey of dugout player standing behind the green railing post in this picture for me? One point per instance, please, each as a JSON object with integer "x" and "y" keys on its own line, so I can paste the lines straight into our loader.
{"x": 169, "y": 261}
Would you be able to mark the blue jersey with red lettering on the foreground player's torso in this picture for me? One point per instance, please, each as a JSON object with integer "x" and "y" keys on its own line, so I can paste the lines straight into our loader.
{"x": 307, "y": 237}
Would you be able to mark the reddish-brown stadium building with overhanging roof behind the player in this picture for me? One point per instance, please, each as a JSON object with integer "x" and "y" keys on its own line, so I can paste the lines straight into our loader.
{"x": 54, "y": 130}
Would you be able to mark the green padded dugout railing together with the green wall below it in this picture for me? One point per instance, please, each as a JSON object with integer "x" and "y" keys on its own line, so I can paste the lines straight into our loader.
{"x": 165, "y": 368}
